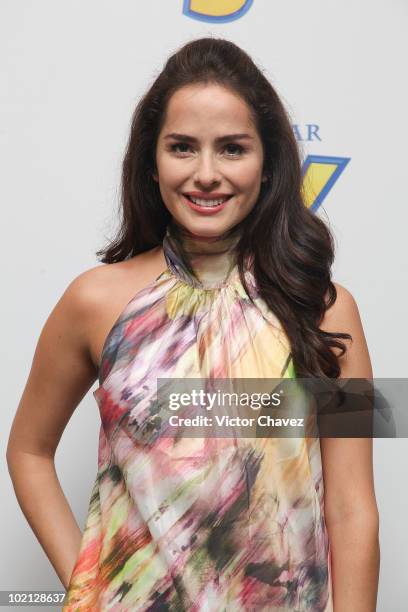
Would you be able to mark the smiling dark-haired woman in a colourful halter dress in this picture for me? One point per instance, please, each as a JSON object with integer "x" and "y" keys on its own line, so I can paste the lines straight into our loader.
{"x": 219, "y": 270}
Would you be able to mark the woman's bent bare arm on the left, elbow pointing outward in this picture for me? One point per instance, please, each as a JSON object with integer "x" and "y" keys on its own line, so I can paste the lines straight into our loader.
{"x": 61, "y": 373}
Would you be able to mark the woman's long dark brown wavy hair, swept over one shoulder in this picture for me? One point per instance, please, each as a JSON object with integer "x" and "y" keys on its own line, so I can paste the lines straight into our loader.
{"x": 293, "y": 250}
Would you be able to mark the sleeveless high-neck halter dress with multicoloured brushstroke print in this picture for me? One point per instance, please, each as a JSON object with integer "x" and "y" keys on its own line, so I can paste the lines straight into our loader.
{"x": 198, "y": 525}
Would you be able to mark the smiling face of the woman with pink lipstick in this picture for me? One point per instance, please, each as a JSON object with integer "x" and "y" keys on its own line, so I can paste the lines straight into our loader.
{"x": 208, "y": 149}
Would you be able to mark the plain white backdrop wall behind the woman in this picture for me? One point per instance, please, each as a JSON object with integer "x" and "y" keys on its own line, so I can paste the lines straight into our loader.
{"x": 72, "y": 74}
